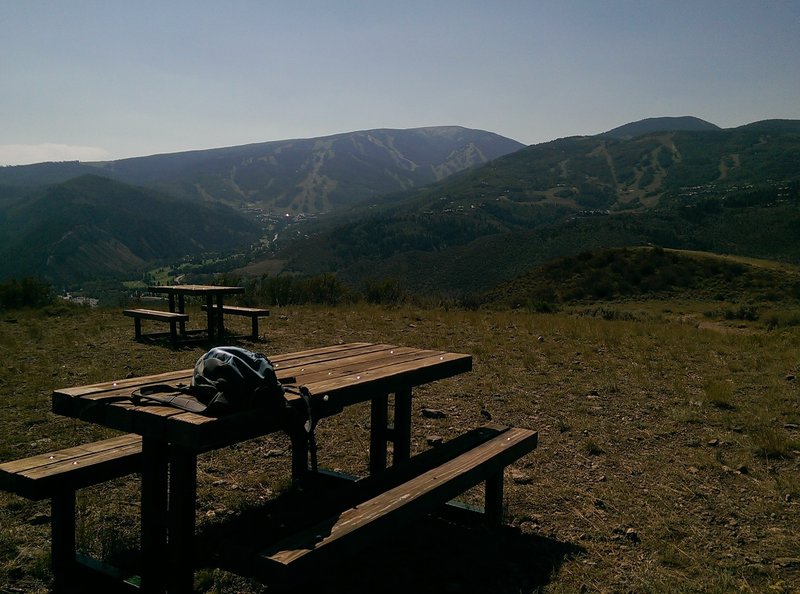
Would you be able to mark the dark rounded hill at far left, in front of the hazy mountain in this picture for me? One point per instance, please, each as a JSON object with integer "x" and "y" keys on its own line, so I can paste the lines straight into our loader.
{"x": 90, "y": 228}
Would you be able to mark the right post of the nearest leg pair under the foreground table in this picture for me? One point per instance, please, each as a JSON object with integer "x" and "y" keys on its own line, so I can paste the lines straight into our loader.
{"x": 182, "y": 495}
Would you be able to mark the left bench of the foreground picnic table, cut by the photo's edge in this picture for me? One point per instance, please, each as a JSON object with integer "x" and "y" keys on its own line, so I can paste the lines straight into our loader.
{"x": 57, "y": 475}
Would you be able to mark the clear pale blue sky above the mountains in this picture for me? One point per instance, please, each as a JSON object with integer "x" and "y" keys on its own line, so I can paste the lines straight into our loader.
{"x": 109, "y": 79}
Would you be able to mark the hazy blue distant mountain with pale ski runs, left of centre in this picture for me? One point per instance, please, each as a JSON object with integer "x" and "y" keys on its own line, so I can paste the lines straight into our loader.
{"x": 295, "y": 176}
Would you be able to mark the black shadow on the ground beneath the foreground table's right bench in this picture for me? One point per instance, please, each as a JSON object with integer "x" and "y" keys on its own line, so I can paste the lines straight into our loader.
{"x": 435, "y": 555}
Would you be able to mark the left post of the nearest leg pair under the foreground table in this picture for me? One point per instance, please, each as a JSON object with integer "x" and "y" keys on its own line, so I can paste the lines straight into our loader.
{"x": 154, "y": 514}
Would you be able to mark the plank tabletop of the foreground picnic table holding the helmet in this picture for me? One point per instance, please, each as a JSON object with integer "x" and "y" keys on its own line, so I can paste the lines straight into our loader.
{"x": 336, "y": 376}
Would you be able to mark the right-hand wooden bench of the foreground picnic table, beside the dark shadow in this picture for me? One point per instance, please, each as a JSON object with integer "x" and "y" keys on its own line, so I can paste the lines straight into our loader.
{"x": 479, "y": 457}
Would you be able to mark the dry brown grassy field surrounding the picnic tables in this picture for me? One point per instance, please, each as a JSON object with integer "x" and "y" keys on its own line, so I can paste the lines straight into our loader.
{"x": 669, "y": 456}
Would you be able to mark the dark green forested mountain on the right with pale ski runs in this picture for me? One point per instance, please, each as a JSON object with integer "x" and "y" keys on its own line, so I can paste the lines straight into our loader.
{"x": 714, "y": 190}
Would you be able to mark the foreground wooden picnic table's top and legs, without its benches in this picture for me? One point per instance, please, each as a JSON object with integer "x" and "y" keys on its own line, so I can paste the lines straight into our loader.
{"x": 336, "y": 376}
